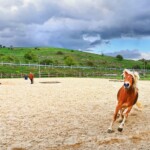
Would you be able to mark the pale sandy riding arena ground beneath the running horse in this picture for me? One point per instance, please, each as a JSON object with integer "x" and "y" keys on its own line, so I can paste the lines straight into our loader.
{"x": 69, "y": 114}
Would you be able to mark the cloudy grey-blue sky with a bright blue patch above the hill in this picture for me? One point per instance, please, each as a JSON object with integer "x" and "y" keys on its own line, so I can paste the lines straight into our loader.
{"x": 108, "y": 27}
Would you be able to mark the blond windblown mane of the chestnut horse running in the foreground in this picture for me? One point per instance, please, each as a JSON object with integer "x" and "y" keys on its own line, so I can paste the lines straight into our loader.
{"x": 134, "y": 74}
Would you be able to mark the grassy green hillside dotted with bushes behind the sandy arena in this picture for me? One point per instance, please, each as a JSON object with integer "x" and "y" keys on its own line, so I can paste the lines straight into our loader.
{"x": 56, "y": 60}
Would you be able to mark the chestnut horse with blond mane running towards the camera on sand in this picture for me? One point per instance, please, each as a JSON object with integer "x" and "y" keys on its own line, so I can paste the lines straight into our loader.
{"x": 127, "y": 96}
